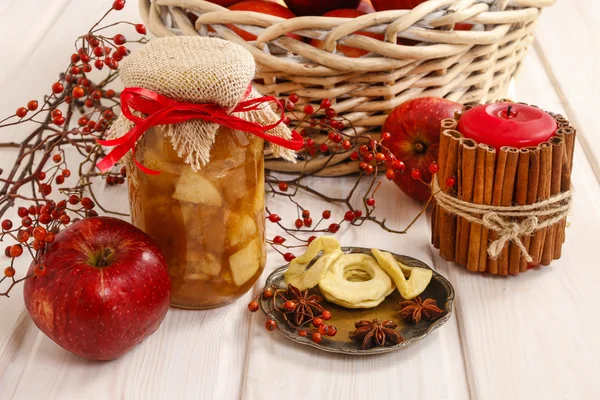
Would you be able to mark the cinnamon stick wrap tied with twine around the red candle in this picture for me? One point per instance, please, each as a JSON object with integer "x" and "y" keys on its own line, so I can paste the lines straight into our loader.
{"x": 528, "y": 188}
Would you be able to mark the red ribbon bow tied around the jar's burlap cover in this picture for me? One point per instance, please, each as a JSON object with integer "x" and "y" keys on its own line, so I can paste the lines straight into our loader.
{"x": 161, "y": 110}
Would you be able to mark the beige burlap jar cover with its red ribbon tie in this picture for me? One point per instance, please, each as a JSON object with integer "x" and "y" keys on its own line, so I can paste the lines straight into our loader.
{"x": 190, "y": 85}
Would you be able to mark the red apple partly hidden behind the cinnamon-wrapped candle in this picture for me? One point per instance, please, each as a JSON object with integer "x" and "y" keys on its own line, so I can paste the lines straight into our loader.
{"x": 415, "y": 137}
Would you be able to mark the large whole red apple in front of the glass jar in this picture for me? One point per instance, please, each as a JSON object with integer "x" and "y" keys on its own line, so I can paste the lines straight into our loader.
{"x": 106, "y": 288}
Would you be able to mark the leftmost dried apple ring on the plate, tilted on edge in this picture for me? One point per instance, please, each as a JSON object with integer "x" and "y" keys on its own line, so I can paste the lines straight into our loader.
{"x": 303, "y": 279}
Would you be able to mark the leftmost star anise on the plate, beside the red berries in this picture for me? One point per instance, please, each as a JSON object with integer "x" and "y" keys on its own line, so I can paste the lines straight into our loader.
{"x": 299, "y": 307}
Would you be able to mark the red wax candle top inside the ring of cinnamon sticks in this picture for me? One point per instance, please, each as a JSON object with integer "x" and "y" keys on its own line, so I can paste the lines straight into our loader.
{"x": 507, "y": 124}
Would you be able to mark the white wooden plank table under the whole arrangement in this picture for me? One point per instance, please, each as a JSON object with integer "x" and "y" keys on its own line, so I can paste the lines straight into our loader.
{"x": 530, "y": 337}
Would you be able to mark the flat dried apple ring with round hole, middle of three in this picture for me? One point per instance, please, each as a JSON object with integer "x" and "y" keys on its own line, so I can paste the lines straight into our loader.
{"x": 355, "y": 294}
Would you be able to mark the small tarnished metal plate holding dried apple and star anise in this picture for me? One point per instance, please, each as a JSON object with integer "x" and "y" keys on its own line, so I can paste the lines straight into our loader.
{"x": 343, "y": 319}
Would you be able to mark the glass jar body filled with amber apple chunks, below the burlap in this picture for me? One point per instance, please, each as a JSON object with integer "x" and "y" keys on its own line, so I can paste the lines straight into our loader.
{"x": 209, "y": 224}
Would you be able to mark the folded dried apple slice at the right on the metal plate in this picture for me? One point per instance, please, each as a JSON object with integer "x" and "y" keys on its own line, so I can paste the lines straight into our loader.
{"x": 418, "y": 278}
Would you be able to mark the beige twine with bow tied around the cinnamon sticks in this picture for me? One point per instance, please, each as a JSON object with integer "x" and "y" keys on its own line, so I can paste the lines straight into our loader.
{"x": 504, "y": 220}
